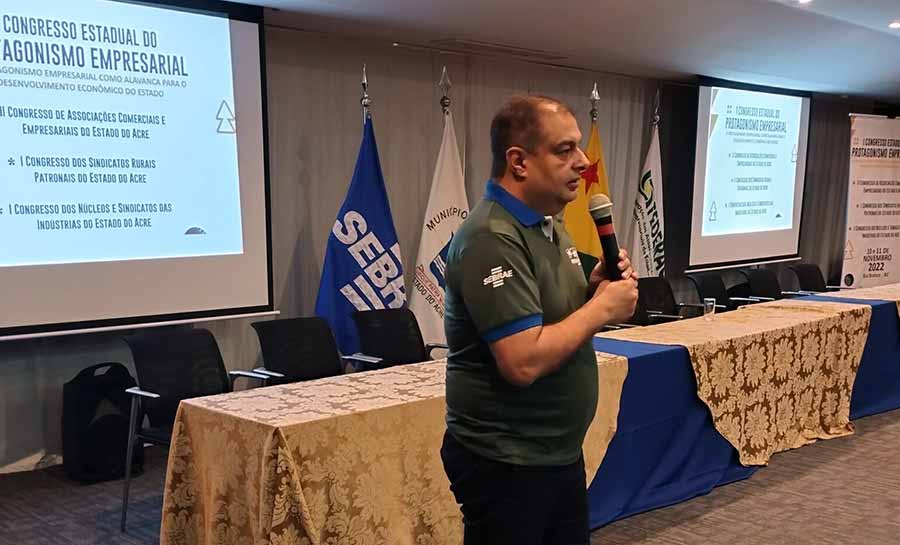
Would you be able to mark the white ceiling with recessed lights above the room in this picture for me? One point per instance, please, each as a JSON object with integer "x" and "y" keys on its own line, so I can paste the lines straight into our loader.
{"x": 841, "y": 47}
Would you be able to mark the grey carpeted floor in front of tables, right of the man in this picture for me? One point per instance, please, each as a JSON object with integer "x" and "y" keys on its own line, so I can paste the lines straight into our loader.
{"x": 839, "y": 492}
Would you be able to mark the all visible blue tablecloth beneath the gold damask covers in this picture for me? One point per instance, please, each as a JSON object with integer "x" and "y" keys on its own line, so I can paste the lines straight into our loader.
{"x": 666, "y": 449}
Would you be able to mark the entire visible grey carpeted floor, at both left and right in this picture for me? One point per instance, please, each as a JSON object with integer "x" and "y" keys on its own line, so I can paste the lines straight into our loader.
{"x": 844, "y": 491}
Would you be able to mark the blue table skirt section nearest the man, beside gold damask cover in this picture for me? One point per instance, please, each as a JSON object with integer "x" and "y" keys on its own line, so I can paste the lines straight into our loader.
{"x": 666, "y": 449}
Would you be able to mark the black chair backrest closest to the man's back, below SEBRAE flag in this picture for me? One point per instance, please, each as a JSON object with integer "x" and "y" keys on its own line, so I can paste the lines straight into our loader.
{"x": 390, "y": 334}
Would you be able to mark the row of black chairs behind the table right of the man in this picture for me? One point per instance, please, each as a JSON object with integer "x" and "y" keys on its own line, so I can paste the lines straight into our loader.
{"x": 674, "y": 298}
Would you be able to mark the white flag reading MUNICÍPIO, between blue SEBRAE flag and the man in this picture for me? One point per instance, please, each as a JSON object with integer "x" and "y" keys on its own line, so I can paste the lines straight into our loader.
{"x": 447, "y": 208}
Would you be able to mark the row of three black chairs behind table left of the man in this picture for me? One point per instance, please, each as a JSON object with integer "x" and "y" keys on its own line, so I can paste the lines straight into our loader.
{"x": 173, "y": 365}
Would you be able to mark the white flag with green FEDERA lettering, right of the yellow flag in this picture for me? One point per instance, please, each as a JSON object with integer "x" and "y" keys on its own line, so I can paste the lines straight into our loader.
{"x": 647, "y": 248}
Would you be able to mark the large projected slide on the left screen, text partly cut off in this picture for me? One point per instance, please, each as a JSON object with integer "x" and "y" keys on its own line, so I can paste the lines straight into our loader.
{"x": 118, "y": 131}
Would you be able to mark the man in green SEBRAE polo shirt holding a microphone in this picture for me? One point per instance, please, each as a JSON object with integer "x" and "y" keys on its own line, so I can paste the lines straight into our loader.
{"x": 521, "y": 372}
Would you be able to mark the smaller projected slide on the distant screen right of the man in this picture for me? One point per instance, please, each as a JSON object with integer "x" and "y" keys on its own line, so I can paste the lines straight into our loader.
{"x": 751, "y": 162}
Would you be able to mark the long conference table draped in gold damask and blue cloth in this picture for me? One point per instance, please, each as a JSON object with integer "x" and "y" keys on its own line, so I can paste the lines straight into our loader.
{"x": 684, "y": 407}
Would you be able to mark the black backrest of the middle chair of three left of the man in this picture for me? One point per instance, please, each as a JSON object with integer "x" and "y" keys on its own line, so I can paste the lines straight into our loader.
{"x": 298, "y": 348}
